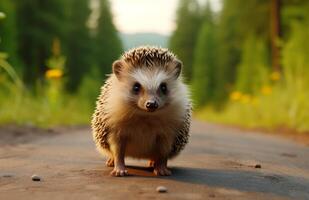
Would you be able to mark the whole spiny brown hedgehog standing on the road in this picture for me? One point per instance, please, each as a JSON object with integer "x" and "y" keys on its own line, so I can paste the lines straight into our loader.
{"x": 143, "y": 110}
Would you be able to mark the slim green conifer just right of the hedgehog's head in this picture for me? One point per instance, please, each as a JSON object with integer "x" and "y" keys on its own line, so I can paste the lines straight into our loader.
{"x": 205, "y": 61}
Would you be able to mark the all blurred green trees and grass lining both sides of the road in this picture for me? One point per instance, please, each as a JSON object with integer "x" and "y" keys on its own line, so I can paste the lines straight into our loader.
{"x": 247, "y": 64}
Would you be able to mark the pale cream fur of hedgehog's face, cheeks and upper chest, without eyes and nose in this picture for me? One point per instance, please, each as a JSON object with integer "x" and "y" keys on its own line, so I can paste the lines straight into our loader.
{"x": 124, "y": 105}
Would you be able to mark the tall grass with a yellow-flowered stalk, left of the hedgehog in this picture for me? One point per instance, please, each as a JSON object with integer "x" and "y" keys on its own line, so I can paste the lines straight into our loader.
{"x": 48, "y": 104}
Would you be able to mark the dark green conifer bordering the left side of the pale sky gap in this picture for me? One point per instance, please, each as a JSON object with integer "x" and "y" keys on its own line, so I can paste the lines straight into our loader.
{"x": 107, "y": 41}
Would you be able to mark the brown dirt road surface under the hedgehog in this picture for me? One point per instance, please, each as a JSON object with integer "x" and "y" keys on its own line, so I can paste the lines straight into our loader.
{"x": 218, "y": 163}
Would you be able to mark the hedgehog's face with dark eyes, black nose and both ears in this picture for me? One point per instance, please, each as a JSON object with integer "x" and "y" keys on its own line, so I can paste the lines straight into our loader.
{"x": 149, "y": 89}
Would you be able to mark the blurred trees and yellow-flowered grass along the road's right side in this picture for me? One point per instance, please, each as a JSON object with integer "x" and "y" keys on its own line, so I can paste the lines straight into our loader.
{"x": 250, "y": 62}
